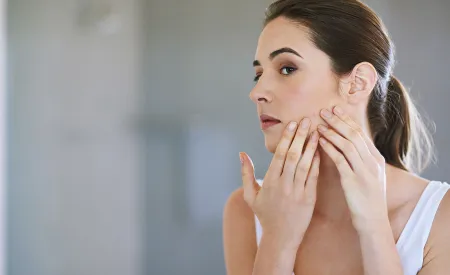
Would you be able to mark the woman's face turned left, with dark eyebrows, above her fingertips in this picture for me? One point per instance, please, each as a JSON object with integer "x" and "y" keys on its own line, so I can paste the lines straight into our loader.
{"x": 293, "y": 78}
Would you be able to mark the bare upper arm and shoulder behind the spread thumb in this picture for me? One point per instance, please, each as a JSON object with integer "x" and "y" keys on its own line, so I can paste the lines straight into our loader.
{"x": 239, "y": 235}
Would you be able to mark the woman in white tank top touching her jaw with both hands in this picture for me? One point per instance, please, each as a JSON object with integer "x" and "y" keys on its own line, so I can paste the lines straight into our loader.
{"x": 340, "y": 195}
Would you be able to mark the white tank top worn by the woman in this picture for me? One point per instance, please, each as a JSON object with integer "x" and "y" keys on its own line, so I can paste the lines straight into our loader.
{"x": 414, "y": 236}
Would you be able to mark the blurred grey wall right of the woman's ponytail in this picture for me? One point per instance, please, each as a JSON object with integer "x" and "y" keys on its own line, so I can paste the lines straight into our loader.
{"x": 420, "y": 30}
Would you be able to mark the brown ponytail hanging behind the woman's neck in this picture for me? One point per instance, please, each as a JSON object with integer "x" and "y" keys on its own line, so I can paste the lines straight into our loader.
{"x": 404, "y": 141}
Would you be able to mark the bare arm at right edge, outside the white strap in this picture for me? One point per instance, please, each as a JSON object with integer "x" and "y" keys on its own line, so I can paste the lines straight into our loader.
{"x": 437, "y": 250}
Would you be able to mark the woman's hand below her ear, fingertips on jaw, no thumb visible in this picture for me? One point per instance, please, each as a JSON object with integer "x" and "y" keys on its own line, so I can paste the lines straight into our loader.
{"x": 361, "y": 167}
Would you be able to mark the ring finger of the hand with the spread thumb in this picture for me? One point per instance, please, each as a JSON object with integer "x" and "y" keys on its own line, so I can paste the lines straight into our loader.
{"x": 304, "y": 166}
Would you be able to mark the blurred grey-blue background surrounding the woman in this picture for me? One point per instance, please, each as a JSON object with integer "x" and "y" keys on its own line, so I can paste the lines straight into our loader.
{"x": 125, "y": 119}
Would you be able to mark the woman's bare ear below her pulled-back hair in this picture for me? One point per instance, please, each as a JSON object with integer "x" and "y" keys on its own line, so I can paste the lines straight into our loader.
{"x": 359, "y": 84}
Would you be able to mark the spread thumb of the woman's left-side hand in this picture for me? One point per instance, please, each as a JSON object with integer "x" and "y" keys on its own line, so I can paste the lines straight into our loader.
{"x": 250, "y": 185}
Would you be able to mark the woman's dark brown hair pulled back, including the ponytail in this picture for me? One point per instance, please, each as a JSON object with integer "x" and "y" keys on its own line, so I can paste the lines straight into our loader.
{"x": 349, "y": 32}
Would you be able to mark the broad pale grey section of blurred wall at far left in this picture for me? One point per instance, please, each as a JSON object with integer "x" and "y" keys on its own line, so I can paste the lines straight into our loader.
{"x": 73, "y": 171}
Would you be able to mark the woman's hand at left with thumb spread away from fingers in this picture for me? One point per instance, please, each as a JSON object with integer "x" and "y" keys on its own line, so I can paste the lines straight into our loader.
{"x": 285, "y": 202}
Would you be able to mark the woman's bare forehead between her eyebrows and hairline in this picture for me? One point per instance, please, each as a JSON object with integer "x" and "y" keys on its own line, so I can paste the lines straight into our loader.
{"x": 281, "y": 33}
